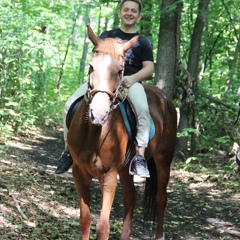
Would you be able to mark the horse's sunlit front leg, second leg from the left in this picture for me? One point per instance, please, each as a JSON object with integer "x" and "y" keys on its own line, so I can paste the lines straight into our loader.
{"x": 108, "y": 183}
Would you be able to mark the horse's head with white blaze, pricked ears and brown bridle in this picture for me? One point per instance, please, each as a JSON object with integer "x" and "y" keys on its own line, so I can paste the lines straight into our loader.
{"x": 106, "y": 70}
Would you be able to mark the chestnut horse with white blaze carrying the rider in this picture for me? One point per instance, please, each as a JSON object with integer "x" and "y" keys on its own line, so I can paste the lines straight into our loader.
{"x": 98, "y": 142}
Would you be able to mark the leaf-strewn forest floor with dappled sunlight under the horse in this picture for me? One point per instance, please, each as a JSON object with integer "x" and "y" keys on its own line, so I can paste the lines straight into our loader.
{"x": 36, "y": 204}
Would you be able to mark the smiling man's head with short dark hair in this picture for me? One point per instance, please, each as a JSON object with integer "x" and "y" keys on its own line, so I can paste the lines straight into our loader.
{"x": 129, "y": 14}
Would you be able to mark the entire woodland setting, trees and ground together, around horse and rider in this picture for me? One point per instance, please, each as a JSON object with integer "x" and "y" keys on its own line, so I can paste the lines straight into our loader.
{"x": 44, "y": 54}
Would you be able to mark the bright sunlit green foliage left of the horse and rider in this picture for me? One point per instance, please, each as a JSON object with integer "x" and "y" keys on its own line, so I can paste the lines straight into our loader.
{"x": 33, "y": 41}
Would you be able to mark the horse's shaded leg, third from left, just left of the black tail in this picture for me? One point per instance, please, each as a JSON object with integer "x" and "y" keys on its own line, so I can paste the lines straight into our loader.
{"x": 129, "y": 199}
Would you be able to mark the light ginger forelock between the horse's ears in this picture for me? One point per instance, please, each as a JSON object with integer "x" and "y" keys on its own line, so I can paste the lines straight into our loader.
{"x": 110, "y": 46}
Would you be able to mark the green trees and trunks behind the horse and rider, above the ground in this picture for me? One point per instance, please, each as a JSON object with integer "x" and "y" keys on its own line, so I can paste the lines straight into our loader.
{"x": 45, "y": 50}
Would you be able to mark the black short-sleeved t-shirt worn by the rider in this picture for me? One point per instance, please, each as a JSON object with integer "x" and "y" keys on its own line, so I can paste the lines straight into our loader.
{"x": 141, "y": 52}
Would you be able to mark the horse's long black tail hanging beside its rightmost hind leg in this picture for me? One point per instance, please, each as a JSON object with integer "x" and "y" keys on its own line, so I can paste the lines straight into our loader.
{"x": 149, "y": 202}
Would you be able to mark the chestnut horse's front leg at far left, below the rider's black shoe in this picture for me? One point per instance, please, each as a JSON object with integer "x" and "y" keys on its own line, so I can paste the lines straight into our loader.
{"x": 84, "y": 195}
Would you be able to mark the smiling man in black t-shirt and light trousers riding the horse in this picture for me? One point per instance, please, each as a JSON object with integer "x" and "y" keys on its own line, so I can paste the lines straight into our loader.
{"x": 139, "y": 66}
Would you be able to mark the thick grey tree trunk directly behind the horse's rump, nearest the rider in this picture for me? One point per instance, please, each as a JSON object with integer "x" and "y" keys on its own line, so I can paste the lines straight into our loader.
{"x": 165, "y": 77}
